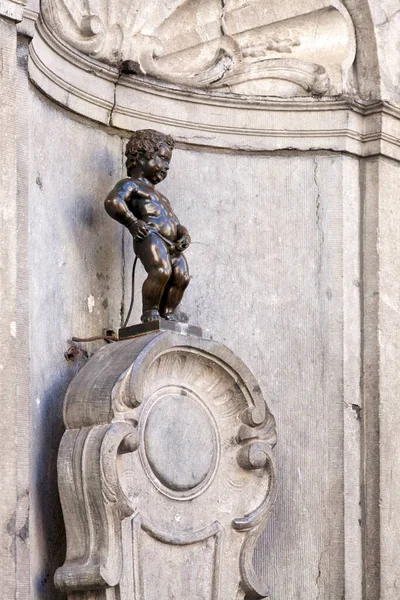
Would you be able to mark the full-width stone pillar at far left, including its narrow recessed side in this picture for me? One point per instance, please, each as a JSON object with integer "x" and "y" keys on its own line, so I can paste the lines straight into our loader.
{"x": 14, "y": 424}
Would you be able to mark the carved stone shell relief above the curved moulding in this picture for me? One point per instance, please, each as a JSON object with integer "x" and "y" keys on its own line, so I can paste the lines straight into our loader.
{"x": 259, "y": 47}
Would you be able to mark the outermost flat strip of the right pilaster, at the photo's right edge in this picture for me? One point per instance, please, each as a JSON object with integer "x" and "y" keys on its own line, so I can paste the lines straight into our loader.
{"x": 389, "y": 413}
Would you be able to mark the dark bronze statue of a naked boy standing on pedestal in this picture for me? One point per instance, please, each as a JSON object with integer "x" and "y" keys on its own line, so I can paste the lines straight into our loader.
{"x": 158, "y": 237}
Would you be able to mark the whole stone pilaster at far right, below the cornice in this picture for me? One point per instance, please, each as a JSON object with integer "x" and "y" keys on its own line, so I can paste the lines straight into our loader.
{"x": 381, "y": 379}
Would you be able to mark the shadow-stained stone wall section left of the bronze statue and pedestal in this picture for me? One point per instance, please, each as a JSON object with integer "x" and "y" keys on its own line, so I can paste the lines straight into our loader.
{"x": 76, "y": 266}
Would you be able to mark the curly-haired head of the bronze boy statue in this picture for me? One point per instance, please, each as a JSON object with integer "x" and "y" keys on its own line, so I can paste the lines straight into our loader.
{"x": 151, "y": 151}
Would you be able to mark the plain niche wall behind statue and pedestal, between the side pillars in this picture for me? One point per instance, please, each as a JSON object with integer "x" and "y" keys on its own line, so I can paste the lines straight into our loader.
{"x": 269, "y": 279}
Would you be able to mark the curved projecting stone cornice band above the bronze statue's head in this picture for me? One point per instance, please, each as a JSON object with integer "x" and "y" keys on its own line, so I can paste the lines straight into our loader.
{"x": 210, "y": 119}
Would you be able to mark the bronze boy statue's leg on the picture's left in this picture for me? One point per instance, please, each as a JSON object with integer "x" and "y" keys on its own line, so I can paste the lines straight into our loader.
{"x": 153, "y": 253}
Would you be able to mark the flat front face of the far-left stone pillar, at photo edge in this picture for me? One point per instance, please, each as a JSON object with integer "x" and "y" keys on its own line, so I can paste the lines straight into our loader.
{"x": 8, "y": 295}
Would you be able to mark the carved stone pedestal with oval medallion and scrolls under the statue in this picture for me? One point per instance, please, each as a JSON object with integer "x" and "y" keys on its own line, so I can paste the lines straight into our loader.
{"x": 165, "y": 473}
